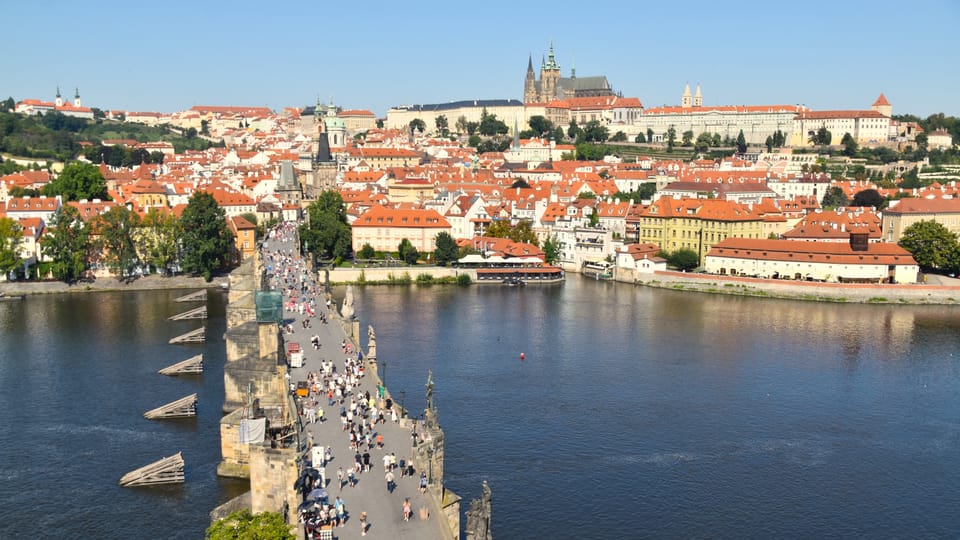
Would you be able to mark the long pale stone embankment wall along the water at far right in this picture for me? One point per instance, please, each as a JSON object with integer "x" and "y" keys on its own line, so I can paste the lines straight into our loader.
{"x": 946, "y": 292}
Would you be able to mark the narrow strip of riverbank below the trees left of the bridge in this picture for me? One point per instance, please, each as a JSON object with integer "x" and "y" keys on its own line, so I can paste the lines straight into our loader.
{"x": 153, "y": 282}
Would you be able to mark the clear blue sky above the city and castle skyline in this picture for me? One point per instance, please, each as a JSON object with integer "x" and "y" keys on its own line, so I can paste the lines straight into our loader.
{"x": 169, "y": 56}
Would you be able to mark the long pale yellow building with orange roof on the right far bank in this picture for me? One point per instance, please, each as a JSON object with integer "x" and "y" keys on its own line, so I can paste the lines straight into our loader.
{"x": 697, "y": 224}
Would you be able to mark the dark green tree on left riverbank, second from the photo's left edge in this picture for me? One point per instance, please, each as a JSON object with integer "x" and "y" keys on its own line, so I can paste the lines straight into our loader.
{"x": 68, "y": 244}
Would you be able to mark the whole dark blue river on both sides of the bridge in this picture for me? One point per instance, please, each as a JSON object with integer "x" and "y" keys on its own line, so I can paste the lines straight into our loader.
{"x": 636, "y": 413}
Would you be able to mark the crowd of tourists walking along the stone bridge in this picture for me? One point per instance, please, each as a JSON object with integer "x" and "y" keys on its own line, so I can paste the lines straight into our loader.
{"x": 333, "y": 388}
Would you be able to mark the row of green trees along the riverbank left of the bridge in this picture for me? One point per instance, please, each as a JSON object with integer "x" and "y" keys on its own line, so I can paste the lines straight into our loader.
{"x": 199, "y": 241}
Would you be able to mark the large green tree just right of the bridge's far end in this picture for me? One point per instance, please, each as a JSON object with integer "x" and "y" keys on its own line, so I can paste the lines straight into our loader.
{"x": 326, "y": 232}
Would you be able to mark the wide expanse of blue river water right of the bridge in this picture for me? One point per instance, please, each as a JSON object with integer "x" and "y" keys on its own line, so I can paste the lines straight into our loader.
{"x": 651, "y": 413}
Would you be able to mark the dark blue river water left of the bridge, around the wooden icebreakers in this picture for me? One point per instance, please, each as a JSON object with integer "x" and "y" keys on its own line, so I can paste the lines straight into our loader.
{"x": 76, "y": 374}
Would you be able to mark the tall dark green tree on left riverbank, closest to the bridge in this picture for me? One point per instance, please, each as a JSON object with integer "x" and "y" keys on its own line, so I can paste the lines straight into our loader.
{"x": 206, "y": 240}
